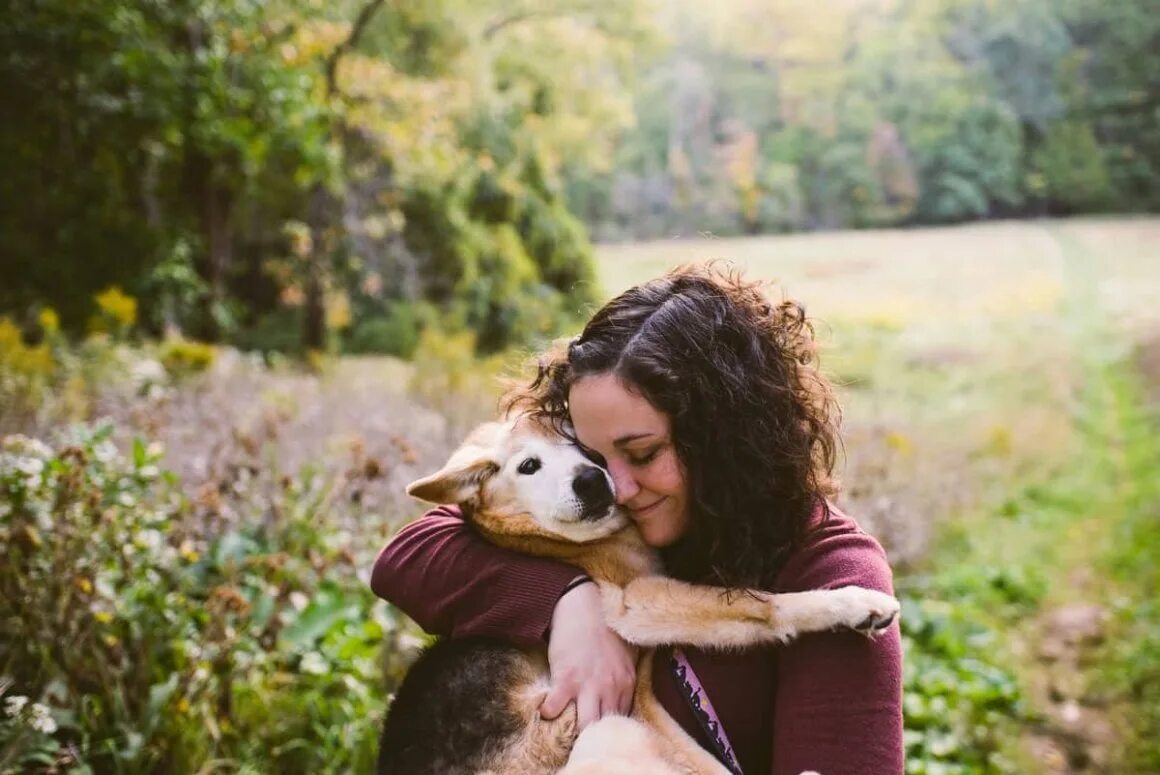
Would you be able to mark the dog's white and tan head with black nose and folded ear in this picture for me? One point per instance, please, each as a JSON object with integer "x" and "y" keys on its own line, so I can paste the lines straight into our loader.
{"x": 520, "y": 479}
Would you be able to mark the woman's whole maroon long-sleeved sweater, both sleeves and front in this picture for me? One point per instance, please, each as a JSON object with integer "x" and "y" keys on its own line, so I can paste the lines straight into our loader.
{"x": 831, "y": 702}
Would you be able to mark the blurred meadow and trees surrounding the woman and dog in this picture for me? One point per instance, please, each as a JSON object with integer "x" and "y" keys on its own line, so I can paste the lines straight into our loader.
{"x": 263, "y": 264}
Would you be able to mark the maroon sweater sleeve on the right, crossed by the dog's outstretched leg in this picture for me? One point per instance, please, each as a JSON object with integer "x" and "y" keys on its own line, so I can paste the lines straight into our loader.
{"x": 839, "y": 706}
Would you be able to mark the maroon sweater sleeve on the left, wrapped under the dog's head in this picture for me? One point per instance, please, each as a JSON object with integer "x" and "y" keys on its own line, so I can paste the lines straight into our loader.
{"x": 453, "y": 582}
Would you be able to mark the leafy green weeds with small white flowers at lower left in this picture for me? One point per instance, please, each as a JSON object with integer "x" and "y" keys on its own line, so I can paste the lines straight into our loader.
{"x": 156, "y": 646}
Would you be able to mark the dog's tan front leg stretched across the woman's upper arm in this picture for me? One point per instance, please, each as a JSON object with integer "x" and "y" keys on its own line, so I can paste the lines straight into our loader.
{"x": 655, "y": 612}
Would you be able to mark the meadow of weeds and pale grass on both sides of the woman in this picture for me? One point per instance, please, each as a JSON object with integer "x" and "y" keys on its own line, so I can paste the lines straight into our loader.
{"x": 190, "y": 589}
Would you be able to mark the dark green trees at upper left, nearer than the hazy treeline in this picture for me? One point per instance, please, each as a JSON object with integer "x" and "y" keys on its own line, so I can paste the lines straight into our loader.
{"x": 190, "y": 135}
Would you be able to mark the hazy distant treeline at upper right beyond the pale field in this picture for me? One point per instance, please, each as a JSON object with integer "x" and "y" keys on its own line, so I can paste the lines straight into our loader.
{"x": 907, "y": 113}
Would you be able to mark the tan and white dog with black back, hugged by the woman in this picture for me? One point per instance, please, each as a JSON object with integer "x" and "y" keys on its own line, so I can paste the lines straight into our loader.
{"x": 472, "y": 705}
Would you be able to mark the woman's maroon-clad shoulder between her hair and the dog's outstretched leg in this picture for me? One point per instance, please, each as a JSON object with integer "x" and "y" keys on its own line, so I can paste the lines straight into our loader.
{"x": 837, "y": 553}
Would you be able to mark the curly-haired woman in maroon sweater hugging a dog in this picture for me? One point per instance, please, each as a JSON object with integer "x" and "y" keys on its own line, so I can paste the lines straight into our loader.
{"x": 705, "y": 403}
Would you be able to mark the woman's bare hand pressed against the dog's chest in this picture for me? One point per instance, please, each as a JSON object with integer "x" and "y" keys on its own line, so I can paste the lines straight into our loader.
{"x": 589, "y": 662}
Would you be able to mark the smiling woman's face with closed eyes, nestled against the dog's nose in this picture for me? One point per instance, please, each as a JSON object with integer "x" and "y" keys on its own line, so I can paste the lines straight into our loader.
{"x": 636, "y": 443}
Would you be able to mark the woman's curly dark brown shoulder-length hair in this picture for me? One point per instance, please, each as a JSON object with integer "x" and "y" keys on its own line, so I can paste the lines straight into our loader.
{"x": 755, "y": 423}
